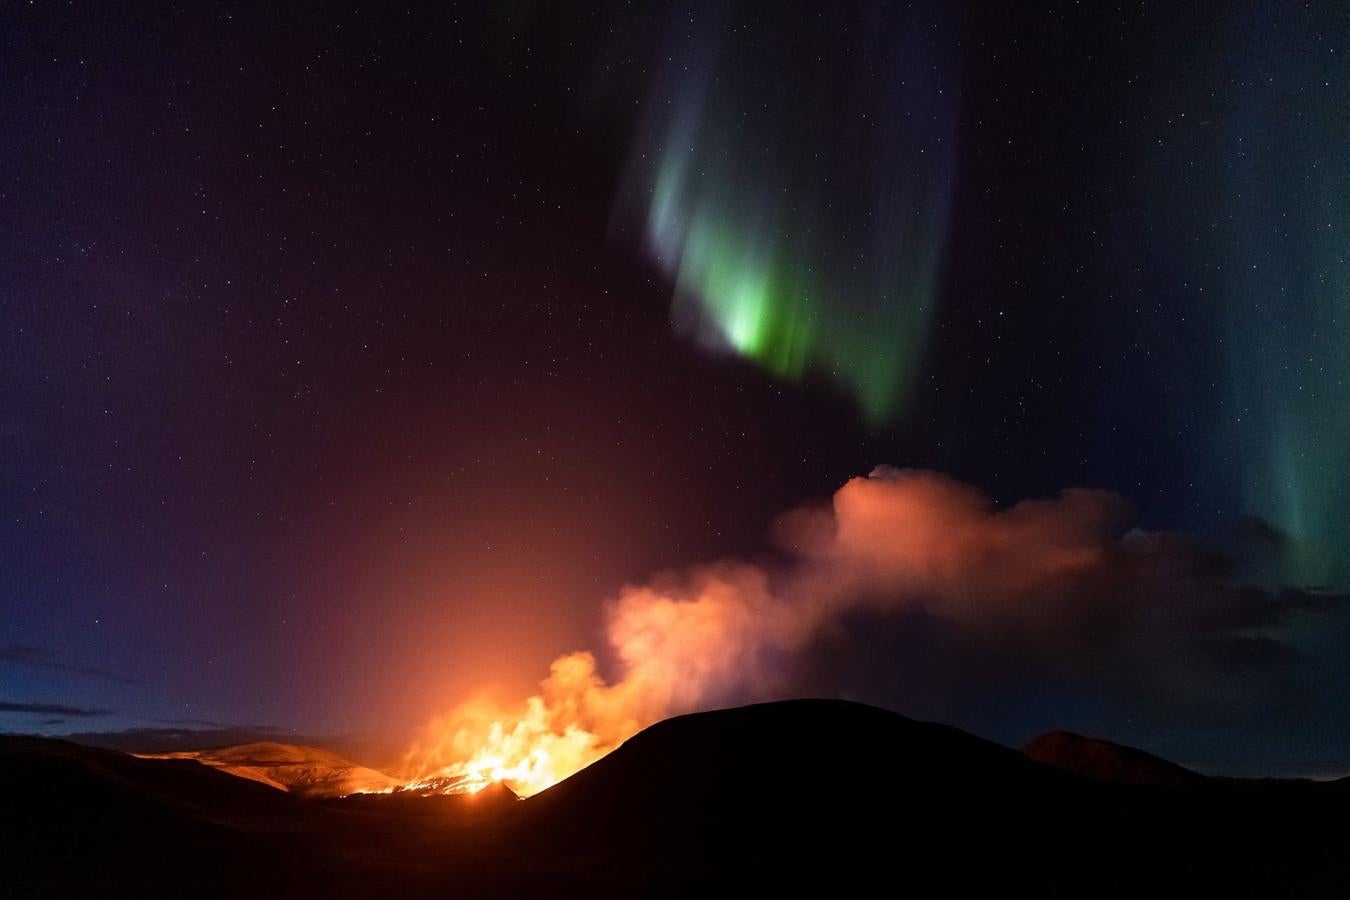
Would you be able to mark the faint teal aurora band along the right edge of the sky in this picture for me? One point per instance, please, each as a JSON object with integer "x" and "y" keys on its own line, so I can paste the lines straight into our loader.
{"x": 1283, "y": 254}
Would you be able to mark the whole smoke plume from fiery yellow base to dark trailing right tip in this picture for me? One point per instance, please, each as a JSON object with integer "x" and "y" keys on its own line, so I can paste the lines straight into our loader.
{"x": 1059, "y": 581}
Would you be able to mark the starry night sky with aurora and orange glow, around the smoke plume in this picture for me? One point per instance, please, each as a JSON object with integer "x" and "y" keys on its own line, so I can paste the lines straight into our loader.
{"x": 354, "y": 358}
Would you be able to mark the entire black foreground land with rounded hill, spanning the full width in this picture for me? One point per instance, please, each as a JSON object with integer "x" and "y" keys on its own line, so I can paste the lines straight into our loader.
{"x": 767, "y": 799}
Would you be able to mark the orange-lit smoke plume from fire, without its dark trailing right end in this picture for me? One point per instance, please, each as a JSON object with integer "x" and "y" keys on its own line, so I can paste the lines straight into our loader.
{"x": 892, "y": 539}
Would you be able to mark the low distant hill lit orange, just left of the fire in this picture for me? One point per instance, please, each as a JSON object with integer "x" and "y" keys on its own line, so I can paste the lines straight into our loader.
{"x": 306, "y": 771}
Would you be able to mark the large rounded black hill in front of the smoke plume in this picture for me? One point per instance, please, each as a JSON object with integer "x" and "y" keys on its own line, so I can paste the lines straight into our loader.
{"x": 774, "y": 794}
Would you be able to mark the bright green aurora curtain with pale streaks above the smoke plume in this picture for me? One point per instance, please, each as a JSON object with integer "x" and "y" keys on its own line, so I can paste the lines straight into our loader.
{"x": 803, "y": 226}
